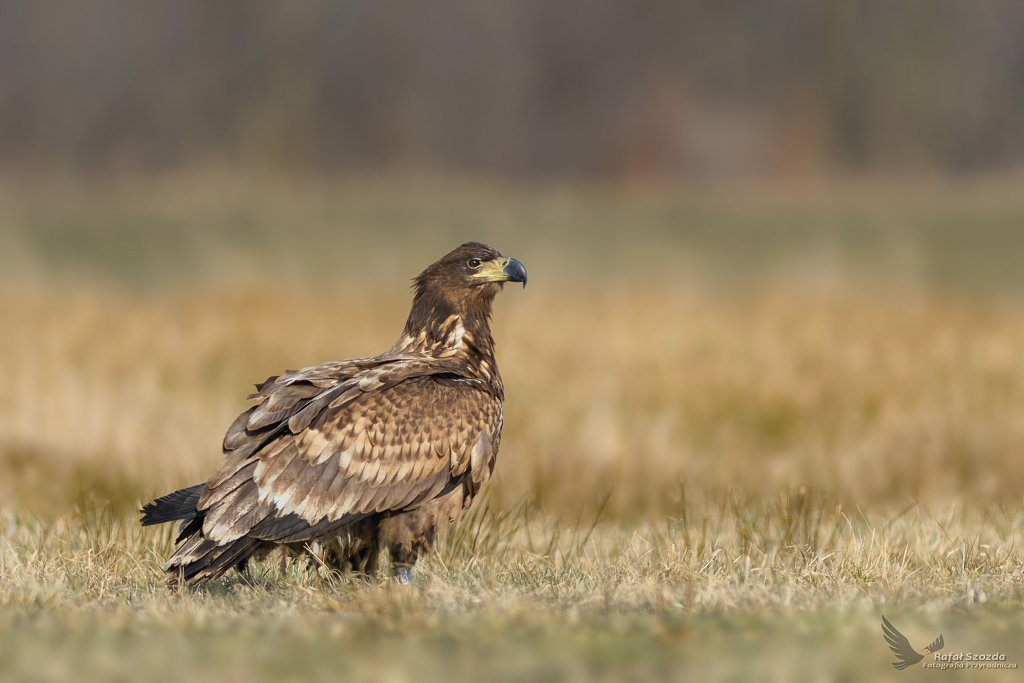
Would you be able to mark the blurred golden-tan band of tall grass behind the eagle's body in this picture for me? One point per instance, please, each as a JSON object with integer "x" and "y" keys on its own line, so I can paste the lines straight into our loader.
{"x": 871, "y": 401}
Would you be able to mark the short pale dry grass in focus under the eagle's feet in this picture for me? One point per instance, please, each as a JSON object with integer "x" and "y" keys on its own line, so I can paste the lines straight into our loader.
{"x": 786, "y": 591}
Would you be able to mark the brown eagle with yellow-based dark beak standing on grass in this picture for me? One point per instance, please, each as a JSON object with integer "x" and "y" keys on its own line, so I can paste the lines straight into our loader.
{"x": 338, "y": 458}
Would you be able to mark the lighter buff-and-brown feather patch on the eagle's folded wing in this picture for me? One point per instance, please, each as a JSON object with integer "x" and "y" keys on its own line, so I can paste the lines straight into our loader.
{"x": 378, "y": 468}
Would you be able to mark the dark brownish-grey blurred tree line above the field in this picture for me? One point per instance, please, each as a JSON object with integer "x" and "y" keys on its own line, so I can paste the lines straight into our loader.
{"x": 525, "y": 88}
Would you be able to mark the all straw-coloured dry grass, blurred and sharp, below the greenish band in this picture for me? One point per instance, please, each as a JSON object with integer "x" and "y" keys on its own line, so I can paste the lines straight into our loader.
{"x": 694, "y": 482}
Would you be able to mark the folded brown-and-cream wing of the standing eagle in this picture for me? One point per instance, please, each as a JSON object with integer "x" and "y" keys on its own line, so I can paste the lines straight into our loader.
{"x": 333, "y": 444}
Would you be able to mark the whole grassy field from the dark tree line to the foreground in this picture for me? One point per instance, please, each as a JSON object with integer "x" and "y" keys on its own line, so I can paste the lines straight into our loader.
{"x": 742, "y": 424}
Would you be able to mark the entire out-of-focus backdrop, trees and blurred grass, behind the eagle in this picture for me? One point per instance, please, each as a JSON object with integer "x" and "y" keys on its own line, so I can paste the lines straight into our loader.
{"x": 773, "y": 244}
